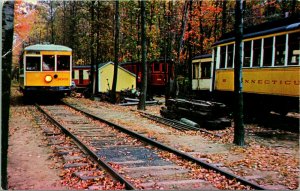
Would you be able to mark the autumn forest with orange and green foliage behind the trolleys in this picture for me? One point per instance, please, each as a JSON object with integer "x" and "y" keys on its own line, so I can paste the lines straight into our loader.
{"x": 175, "y": 29}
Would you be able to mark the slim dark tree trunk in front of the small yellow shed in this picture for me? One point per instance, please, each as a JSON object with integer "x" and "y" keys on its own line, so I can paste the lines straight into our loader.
{"x": 117, "y": 29}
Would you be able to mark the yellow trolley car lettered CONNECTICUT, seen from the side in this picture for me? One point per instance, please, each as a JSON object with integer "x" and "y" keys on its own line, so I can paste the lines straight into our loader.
{"x": 270, "y": 67}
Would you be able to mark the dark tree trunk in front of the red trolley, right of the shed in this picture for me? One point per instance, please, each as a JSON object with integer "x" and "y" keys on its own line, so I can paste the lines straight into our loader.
{"x": 142, "y": 105}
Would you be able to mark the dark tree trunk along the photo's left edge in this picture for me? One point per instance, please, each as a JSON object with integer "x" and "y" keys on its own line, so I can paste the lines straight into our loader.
{"x": 5, "y": 63}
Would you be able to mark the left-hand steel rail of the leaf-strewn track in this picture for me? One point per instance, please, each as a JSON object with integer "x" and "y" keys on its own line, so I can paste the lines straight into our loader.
{"x": 94, "y": 156}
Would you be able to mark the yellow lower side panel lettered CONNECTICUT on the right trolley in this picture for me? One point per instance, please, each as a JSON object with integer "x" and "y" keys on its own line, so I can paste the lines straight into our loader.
{"x": 270, "y": 81}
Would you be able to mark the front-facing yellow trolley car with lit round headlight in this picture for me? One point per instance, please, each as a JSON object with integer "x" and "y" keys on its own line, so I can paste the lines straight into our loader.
{"x": 46, "y": 69}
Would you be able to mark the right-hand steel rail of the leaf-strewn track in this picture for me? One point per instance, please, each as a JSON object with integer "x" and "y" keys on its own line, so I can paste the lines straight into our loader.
{"x": 172, "y": 150}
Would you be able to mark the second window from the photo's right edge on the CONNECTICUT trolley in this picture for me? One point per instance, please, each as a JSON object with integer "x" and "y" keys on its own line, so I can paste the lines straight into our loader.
{"x": 280, "y": 50}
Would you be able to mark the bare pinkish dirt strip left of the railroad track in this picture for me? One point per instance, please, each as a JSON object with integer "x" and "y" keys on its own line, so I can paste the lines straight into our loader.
{"x": 29, "y": 158}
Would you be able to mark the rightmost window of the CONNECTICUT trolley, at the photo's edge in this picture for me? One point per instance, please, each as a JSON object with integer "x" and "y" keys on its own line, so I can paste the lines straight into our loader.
{"x": 294, "y": 49}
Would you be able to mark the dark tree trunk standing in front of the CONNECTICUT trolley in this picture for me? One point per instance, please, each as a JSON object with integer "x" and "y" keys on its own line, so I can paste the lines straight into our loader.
{"x": 239, "y": 131}
